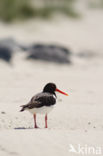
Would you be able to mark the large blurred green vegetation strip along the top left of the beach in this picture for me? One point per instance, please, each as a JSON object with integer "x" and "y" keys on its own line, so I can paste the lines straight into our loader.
{"x": 11, "y": 10}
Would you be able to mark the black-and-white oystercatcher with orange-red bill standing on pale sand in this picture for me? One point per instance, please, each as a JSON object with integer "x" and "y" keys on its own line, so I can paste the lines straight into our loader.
{"x": 43, "y": 102}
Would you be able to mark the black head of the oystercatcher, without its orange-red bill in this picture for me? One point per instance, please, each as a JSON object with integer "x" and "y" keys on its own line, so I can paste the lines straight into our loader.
{"x": 50, "y": 88}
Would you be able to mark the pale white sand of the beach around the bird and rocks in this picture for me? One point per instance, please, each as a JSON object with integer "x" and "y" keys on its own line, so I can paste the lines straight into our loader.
{"x": 77, "y": 119}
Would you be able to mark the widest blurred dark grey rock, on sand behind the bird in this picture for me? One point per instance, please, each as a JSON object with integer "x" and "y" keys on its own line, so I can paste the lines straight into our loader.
{"x": 51, "y": 53}
